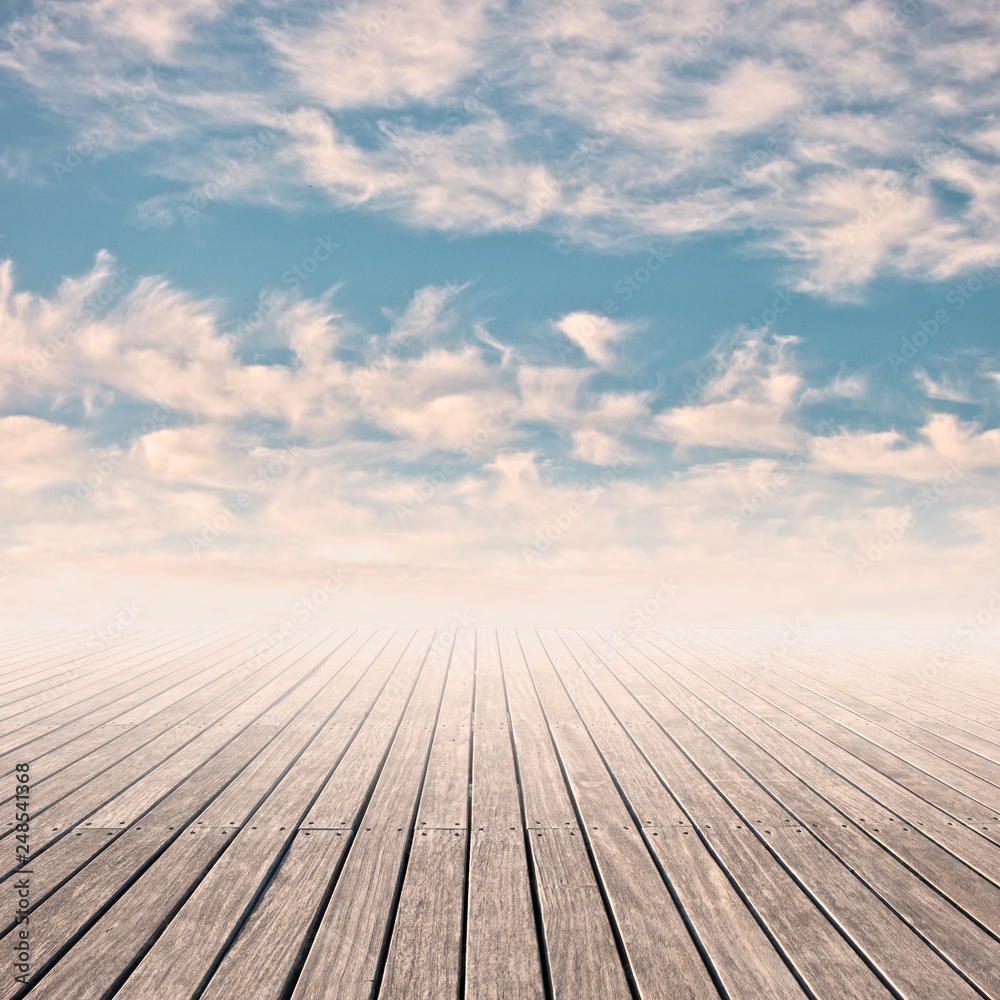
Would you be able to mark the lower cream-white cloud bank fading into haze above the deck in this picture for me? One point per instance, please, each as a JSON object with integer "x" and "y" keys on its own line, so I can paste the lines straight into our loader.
{"x": 327, "y": 446}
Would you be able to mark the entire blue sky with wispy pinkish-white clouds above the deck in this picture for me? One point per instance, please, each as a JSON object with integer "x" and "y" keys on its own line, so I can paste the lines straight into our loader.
{"x": 487, "y": 313}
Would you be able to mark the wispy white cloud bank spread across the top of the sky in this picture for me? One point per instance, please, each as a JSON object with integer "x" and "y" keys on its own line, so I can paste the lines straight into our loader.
{"x": 607, "y": 125}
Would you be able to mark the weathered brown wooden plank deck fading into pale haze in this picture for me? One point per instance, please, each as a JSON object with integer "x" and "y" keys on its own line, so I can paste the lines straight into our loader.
{"x": 572, "y": 814}
